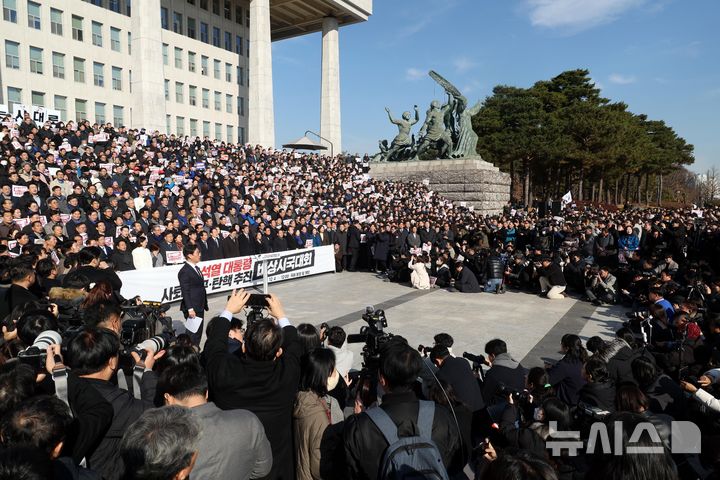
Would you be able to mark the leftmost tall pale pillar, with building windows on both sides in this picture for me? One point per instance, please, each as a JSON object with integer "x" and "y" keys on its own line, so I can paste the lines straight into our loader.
{"x": 148, "y": 90}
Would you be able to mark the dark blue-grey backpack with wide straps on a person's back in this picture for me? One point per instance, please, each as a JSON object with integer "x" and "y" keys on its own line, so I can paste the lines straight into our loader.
{"x": 409, "y": 458}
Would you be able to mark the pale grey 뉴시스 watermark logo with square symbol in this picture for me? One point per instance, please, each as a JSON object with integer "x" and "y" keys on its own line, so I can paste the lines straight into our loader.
{"x": 684, "y": 439}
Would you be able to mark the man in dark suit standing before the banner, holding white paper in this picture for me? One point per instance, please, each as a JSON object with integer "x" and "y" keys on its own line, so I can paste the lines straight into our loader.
{"x": 192, "y": 285}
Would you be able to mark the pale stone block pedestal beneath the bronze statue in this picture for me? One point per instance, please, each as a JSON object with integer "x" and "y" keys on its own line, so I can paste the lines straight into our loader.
{"x": 471, "y": 180}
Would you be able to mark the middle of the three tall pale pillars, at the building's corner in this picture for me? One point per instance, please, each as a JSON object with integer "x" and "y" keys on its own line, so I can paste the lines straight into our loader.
{"x": 261, "y": 116}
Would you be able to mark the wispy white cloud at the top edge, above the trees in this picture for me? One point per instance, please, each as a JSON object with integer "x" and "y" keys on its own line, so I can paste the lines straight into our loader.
{"x": 577, "y": 15}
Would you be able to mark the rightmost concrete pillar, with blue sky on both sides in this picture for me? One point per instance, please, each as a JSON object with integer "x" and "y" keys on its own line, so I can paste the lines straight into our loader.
{"x": 330, "y": 86}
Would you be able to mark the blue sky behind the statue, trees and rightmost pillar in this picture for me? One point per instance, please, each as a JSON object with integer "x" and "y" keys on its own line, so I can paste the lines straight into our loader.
{"x": 661, "y": 57}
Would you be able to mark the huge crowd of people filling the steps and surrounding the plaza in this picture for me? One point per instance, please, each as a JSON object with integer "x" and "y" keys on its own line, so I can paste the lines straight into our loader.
{"x": 81, "y": 202}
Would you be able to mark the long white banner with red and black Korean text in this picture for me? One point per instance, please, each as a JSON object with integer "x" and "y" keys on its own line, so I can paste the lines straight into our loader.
{"x": 161, "y": 284}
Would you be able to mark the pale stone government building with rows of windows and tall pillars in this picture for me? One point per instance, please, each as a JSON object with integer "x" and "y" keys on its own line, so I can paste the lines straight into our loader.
{"x": 189, "y": 67}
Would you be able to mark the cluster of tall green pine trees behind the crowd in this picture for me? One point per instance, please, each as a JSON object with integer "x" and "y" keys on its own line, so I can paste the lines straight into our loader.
{"x": 561, "y": 135}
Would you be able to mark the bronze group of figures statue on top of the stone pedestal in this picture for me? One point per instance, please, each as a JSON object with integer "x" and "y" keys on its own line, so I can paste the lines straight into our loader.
{"x": 447, "y": 128}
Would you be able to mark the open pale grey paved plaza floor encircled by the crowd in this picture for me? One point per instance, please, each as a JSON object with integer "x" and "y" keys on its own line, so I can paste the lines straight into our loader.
{"x": 531, "y": 326}
